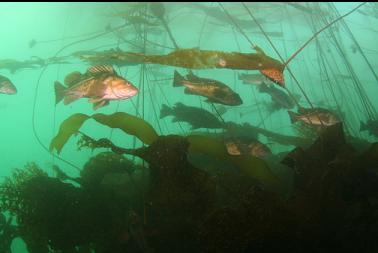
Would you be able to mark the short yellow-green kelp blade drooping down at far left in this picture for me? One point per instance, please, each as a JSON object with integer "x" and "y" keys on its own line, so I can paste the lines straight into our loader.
{"x": 69, "y": 127}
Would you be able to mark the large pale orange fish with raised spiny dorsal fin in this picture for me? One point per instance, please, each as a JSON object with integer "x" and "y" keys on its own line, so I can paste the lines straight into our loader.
{"x": 100, "y": 84}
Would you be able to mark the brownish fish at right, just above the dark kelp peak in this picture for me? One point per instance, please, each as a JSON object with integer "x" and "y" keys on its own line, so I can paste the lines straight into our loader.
{"x": 315, "y": 117}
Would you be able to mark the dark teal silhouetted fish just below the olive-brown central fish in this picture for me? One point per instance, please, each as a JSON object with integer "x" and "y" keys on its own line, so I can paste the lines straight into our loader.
{"x": 196, "y": 117}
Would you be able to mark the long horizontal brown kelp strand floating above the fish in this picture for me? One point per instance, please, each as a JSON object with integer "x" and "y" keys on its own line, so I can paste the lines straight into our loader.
{"x": 195, "y": 58}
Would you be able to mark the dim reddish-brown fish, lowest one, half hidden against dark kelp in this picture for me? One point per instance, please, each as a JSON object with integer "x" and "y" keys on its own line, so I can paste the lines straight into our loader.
{"x": 245, "y": 146}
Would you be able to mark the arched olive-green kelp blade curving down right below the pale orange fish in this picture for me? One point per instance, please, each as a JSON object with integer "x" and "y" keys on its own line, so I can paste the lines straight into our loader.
{"x": 129, "y": 124}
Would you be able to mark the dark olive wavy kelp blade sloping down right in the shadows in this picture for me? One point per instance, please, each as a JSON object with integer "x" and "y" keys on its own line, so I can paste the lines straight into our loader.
{"x": 250, "y": 165}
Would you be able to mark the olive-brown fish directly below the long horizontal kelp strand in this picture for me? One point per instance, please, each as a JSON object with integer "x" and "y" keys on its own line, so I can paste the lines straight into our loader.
{"x": 214, "y": 91}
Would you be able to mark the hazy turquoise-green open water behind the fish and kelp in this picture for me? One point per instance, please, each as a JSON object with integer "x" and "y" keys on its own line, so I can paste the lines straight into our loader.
{"x": 331, "y": 70}
